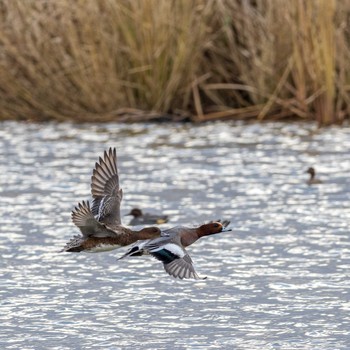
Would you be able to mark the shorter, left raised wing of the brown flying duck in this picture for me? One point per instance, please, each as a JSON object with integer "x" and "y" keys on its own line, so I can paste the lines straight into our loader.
{"x": 83, "y": 218}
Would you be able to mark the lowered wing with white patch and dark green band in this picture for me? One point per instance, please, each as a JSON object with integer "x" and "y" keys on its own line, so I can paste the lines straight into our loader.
{"x": 176, "y": 261}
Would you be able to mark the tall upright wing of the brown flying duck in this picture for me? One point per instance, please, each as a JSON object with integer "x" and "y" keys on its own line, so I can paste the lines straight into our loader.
{"x": 105, "y": 190}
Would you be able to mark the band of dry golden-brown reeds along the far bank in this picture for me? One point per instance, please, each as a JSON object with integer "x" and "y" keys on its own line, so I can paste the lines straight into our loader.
{"x": 134, "y": 60}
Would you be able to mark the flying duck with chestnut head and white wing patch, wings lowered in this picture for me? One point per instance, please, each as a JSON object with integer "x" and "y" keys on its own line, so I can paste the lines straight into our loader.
{"x": 170, "y": 248}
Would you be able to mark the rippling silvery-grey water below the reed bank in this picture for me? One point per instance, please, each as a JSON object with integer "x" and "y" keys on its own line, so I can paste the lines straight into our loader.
{"x": 279, "y": 280}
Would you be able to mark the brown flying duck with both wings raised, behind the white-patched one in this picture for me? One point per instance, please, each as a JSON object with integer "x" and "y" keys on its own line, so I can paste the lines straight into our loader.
{"x": 100, "y": 224}
